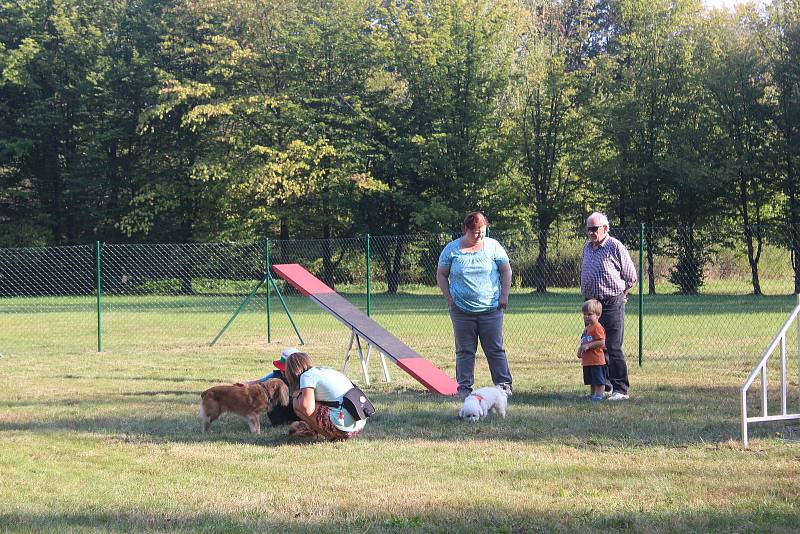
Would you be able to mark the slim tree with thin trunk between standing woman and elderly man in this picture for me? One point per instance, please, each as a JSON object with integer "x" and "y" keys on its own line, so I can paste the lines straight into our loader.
{"x": 548, "y": 111}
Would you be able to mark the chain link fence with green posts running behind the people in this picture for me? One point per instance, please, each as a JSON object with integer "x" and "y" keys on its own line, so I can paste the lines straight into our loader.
{"x": 710, "y": 301}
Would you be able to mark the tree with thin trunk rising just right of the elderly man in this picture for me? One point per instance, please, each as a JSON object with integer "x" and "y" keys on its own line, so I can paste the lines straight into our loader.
{"x": 643, "y": 79}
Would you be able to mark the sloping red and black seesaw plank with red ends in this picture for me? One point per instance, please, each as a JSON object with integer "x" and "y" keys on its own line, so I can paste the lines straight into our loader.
{"x": 406, "y": 359}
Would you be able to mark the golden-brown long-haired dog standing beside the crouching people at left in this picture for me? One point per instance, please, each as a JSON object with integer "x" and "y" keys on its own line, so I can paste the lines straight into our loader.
{"x": 248, "y": 401}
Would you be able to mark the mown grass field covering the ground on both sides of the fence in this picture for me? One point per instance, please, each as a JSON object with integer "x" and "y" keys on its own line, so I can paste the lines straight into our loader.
{"x": 111, "y": 441}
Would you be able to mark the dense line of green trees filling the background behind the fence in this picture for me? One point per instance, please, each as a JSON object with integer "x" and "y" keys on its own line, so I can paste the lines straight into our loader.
{"x": 199, "y": 120}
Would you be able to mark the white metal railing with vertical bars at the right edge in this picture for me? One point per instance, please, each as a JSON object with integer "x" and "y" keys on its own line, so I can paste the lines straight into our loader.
{"x": 761, "y": 368}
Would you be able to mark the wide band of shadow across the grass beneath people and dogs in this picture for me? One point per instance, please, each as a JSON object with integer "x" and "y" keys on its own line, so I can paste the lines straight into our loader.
{"x": 664, "y": 415}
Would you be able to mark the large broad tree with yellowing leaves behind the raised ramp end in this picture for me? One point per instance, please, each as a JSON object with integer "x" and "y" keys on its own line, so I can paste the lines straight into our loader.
{"x": 263, "y": 100}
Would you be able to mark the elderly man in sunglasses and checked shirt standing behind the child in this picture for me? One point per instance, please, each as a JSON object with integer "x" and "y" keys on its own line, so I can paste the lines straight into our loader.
{"x": 606, "y": 275}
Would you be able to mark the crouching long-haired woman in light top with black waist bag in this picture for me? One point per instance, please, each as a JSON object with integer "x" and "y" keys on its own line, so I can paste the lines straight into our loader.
{"x": 316, "y": 394}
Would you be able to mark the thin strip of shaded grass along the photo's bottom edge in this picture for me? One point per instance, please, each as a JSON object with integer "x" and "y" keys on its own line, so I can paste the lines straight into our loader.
{"x": 469, "y": 519}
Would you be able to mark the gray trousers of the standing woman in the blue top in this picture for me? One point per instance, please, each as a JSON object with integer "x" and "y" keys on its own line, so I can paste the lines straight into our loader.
{"x": 468, "y": 328}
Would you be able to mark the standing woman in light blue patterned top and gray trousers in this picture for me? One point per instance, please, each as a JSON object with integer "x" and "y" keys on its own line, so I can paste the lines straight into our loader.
{"x": 474, "y": 275}
